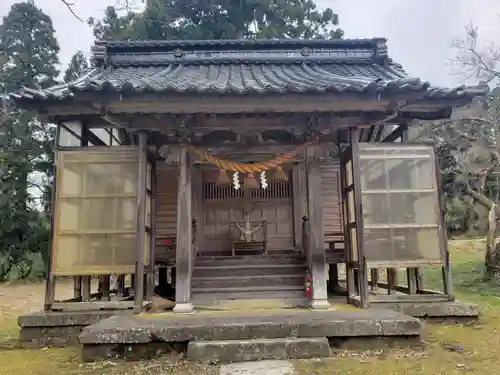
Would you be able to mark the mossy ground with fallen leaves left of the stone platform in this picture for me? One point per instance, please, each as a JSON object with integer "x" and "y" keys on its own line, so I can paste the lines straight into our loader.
{"x": 22, "y": 298}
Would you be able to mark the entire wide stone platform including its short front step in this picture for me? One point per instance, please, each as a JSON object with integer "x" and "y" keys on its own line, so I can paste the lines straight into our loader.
{"x": 244, "y": 335}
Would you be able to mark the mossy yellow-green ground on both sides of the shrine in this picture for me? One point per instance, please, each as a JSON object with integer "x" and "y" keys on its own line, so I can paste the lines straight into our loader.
{"x": 449, "y": 350}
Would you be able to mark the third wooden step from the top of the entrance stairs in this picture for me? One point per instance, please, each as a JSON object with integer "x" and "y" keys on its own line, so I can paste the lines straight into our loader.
{"x": 276, "y": 281}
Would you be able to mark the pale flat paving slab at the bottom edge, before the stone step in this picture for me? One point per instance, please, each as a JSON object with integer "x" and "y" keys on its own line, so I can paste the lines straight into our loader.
{"x": 258, "y": 368}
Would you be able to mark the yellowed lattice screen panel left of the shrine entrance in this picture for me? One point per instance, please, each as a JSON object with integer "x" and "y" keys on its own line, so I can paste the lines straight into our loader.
{"x": 95, "y": 222}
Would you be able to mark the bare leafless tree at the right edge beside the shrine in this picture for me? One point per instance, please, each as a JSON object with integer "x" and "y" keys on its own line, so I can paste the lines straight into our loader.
{"x": 474, "y": 133}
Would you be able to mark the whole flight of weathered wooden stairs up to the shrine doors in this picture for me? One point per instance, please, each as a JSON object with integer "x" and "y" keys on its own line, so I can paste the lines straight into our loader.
{"x": 275, "y": 276}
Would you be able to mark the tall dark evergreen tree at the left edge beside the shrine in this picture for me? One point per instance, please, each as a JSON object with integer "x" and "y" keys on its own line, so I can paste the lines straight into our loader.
{"x": 30, "y": 57}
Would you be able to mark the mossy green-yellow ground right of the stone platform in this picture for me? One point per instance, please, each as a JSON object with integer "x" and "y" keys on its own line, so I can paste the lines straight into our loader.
{"x": 449, "y": 349}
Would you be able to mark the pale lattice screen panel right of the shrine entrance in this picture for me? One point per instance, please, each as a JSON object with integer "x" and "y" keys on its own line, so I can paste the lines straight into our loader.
{"x": 400, "y": 204}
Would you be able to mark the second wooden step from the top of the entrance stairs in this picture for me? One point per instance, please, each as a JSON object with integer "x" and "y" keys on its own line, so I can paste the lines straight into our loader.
{"x": 249, "y": 270}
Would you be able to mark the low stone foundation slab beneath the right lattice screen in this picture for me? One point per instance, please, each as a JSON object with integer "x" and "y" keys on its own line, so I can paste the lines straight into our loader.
{"x": 442, "y": 310}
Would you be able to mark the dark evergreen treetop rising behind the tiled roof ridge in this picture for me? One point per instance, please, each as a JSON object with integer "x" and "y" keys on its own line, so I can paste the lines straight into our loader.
{"x": 220, "y": 19}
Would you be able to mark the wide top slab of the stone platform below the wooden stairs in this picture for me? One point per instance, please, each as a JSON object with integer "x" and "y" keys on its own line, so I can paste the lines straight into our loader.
{"x": 238, "y": 325}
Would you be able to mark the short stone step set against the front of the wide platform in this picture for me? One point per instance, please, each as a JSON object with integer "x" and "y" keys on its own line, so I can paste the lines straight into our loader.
{"x": 226, "y": 351}
